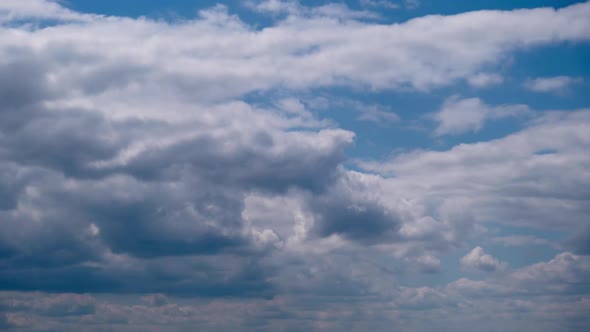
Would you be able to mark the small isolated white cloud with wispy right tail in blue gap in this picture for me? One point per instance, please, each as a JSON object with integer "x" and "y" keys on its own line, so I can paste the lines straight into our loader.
{"x": 459, "y": 116}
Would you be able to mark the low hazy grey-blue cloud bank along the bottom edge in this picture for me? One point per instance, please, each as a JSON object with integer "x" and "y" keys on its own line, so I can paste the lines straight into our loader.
{"x": 552, "y": 291}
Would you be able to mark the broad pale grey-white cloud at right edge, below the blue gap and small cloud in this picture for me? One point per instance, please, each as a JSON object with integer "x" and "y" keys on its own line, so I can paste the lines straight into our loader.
{"x": 523, "y": 179}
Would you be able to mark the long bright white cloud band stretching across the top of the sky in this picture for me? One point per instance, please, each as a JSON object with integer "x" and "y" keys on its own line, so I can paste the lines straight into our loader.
{"x": 231, "y": 58}
